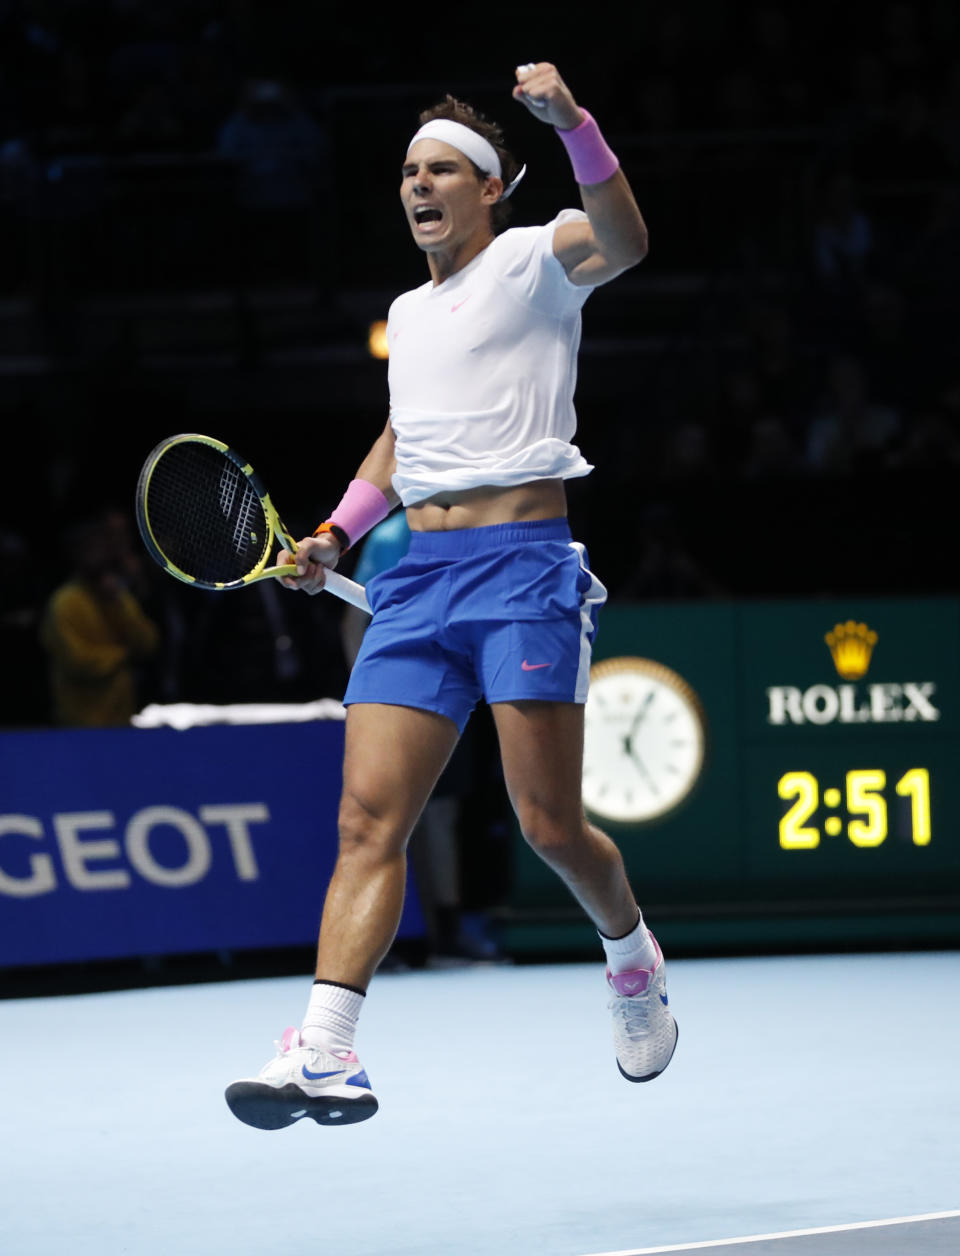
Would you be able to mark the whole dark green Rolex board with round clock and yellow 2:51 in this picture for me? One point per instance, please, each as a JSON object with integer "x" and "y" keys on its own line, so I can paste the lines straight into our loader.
{"x": 778, "y": 772}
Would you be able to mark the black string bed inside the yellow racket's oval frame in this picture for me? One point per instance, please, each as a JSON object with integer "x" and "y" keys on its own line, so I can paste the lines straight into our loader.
{"x": 205, "y": 516}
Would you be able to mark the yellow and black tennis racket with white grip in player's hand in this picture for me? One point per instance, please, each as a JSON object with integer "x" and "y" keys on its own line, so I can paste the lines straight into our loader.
{"x": 207, "y": 518}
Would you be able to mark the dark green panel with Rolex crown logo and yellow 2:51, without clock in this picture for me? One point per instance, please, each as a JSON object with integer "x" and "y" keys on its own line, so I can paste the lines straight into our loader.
{"x": 850, "y": 740}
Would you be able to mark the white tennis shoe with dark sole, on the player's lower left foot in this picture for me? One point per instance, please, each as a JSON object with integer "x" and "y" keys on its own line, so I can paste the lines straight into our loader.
{"x": 327, "y": 1087}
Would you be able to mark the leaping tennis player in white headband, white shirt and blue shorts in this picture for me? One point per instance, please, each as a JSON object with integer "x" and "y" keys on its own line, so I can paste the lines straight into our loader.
{"x": 493, "y": 601}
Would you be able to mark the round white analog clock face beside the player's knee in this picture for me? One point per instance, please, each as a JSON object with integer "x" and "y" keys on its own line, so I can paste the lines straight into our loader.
{"x": 644, "y": 743}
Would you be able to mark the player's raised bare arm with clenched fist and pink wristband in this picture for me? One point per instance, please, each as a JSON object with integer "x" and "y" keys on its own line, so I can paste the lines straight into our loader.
{"x": 615, "y": 237}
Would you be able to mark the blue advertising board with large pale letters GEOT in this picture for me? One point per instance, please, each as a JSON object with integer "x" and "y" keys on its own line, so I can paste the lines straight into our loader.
{"x": 125, "y": 842}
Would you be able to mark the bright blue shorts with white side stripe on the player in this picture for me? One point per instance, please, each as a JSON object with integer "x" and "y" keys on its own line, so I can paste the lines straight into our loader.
{"x": 507, "y": 614}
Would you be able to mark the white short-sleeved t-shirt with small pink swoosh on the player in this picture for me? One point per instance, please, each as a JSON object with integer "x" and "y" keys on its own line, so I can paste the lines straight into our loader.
{"x": 483, "y": 370}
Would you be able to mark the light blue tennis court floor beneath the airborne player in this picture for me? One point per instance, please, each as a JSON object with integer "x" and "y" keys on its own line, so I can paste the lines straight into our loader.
{"x": 806, "y": 1092}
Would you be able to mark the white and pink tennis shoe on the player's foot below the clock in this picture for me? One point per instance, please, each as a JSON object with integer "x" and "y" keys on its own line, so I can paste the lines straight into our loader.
{"x": 645, "y": 1033}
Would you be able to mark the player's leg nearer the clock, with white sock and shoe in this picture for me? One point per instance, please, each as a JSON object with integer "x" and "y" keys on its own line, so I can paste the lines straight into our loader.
{"x": 542, "y": 752}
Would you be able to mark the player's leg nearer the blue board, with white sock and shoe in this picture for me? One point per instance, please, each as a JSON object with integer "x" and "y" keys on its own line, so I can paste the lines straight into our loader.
{"x": 393, "y": 759}
